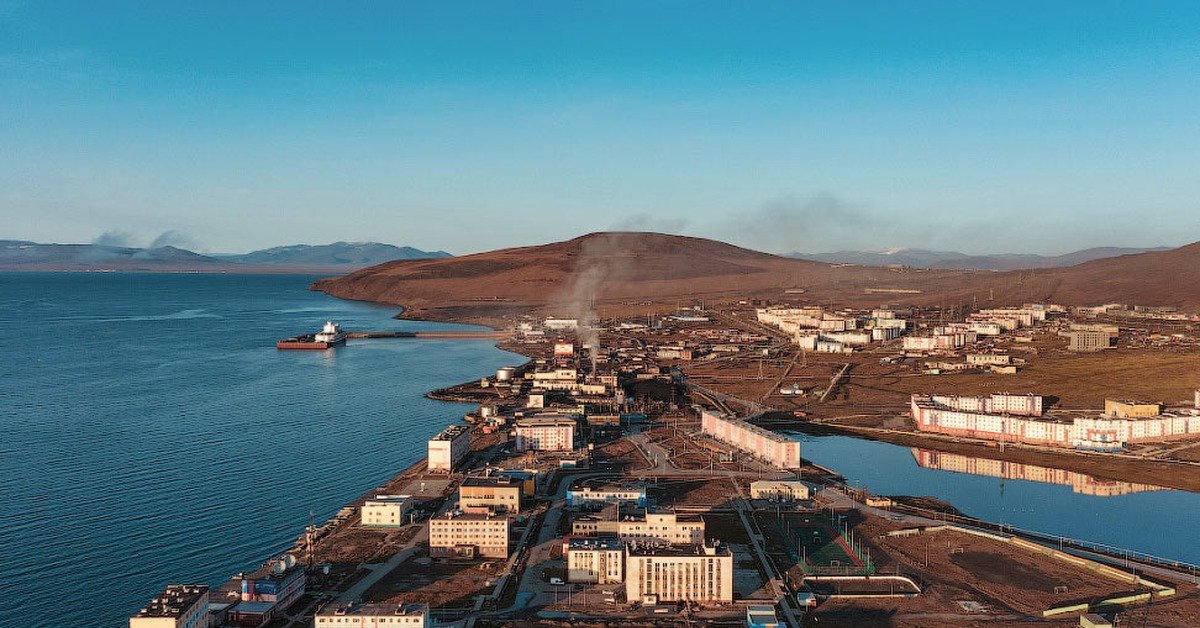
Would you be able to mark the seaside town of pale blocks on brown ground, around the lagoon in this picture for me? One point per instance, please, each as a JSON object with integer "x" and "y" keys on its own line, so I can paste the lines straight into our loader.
{"x": 643, "y": 471}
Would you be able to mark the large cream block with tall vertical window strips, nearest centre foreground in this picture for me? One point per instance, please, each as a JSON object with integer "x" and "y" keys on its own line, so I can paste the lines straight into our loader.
{"x": 692, "y": 573}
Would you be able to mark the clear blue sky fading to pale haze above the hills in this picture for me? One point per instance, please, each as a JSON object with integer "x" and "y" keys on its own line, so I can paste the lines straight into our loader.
{"x": 226, "y": 127}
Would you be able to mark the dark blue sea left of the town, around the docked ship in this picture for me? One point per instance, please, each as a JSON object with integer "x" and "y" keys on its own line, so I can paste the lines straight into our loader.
{"x": 152, "y": 434}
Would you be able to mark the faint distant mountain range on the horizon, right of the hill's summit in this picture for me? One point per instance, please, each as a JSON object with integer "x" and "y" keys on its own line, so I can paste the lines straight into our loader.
{"x": 953, "y": 260}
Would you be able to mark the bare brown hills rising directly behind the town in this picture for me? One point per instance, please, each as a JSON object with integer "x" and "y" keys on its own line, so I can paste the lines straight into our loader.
{"x": 619, "y": 274}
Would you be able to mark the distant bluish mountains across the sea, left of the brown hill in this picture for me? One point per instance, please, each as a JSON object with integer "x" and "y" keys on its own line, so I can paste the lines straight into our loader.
{"x": 338, "y": 258}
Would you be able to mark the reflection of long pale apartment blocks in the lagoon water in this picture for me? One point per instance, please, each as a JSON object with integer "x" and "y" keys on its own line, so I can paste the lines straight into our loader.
{"x": 1079, "y": 483}
